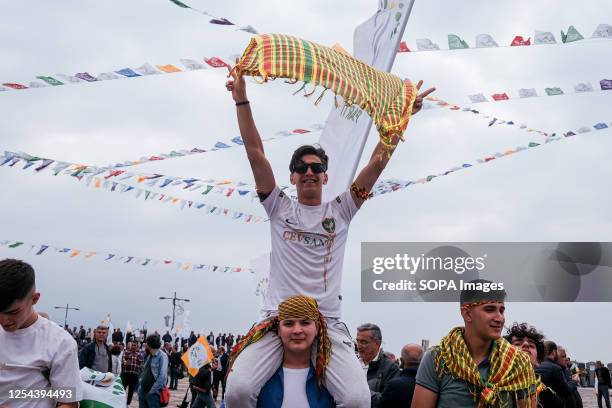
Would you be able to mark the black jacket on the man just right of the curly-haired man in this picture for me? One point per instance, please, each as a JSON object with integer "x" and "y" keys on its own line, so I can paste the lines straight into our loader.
{"x": 553, "y": 377}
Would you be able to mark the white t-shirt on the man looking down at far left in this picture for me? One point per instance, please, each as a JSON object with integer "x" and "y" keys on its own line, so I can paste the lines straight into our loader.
{"x": 45, "y": 345}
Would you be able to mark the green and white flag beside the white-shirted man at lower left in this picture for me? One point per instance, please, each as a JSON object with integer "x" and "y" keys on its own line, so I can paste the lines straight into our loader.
{"x": 106, "y": 392}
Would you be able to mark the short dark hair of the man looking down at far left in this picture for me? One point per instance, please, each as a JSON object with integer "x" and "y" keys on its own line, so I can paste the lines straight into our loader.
{"x": 16, "y": 281}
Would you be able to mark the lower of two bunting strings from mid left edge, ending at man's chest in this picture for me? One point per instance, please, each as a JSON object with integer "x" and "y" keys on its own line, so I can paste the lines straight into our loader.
{"x": 98, "y": 181}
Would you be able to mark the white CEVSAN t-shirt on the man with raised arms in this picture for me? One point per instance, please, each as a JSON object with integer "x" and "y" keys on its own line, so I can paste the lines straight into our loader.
{"x": 307, "y": 249}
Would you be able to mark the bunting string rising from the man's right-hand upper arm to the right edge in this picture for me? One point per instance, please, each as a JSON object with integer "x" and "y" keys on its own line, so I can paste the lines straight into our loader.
{"x": 391, "y": 185}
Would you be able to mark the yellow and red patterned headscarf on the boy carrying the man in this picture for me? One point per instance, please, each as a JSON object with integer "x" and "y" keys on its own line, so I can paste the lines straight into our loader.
{"x": 295, "y": 307}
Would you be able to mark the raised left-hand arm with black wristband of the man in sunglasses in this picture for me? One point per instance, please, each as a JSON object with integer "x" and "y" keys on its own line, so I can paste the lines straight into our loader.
{"x": 262, "y": 171}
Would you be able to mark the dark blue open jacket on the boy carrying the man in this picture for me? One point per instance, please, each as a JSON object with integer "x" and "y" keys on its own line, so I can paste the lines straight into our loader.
{"x": 271, "y": 395}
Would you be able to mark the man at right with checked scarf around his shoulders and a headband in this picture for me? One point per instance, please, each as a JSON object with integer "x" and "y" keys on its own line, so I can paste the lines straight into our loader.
{"x": 474, "y": 366}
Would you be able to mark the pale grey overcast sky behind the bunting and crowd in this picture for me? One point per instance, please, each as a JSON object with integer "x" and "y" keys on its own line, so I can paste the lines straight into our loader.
{"x": 558, "y": 192}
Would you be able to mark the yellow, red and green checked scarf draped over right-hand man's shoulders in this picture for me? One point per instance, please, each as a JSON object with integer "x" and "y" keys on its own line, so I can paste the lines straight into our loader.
{"x": 510, "y": 370}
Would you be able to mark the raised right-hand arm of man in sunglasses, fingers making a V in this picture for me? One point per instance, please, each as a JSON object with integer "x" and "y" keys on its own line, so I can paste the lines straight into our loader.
{"x": 379, "y": 159}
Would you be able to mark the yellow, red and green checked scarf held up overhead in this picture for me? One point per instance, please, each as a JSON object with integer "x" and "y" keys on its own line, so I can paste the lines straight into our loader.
{"x": 385, "y": 97}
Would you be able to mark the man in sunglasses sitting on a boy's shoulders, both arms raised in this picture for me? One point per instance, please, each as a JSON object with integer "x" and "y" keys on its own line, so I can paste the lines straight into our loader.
{"x": 308, "y": 240}
